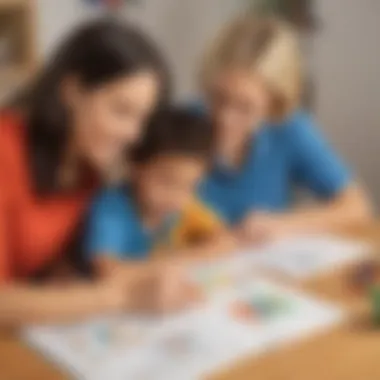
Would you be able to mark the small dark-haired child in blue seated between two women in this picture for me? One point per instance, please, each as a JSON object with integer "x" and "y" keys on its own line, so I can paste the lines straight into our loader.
{"x": 156, "y": 213}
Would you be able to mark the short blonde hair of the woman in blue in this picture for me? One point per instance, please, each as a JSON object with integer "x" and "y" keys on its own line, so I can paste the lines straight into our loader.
{"x": 267, "y": 46}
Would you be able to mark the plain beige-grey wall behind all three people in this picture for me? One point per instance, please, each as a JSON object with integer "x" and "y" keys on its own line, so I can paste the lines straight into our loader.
{"x": 344, "y": 56}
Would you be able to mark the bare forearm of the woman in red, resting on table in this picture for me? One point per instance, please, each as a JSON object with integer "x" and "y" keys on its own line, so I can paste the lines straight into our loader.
{"x": 21, "y": 305}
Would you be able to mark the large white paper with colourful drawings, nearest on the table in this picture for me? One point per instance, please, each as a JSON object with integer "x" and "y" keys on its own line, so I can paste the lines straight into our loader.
{"x": 242, "y": 317}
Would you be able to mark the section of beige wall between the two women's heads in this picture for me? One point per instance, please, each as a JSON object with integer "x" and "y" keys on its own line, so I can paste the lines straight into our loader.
{"x": 182, "y": 28}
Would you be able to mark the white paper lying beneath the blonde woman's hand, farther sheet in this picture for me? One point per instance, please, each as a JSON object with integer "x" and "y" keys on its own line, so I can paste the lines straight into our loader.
{"x": 306, "y": 257}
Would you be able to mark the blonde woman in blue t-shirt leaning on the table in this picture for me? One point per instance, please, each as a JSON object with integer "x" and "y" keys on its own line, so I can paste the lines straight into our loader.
{"x": 266, "y": 146}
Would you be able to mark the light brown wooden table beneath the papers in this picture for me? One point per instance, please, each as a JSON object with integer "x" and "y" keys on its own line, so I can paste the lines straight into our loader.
{"x": 348, "y": 352}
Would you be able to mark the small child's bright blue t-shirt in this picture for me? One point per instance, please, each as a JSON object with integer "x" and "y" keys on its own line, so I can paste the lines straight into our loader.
{"x": 115, "y": 227}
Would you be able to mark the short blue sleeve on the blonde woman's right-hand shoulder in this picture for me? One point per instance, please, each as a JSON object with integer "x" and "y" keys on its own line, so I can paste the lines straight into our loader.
{"x": 315, "y": 164}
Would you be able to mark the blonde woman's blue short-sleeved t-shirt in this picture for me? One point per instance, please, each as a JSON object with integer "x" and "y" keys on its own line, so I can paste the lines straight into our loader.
{"x": 280, "y": 157}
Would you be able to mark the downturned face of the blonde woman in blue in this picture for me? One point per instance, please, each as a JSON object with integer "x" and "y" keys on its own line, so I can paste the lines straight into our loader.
{"x": 239, "y": 103}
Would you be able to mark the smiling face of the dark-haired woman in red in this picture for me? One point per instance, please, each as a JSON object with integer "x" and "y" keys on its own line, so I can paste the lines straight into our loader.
{"x": 111, "y": 118}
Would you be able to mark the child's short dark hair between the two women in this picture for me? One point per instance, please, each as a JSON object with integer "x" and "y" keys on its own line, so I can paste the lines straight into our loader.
{"x": 176, "y": 131}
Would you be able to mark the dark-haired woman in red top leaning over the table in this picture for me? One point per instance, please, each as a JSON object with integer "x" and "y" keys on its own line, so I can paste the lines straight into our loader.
{"x": 89, "y": 104}
